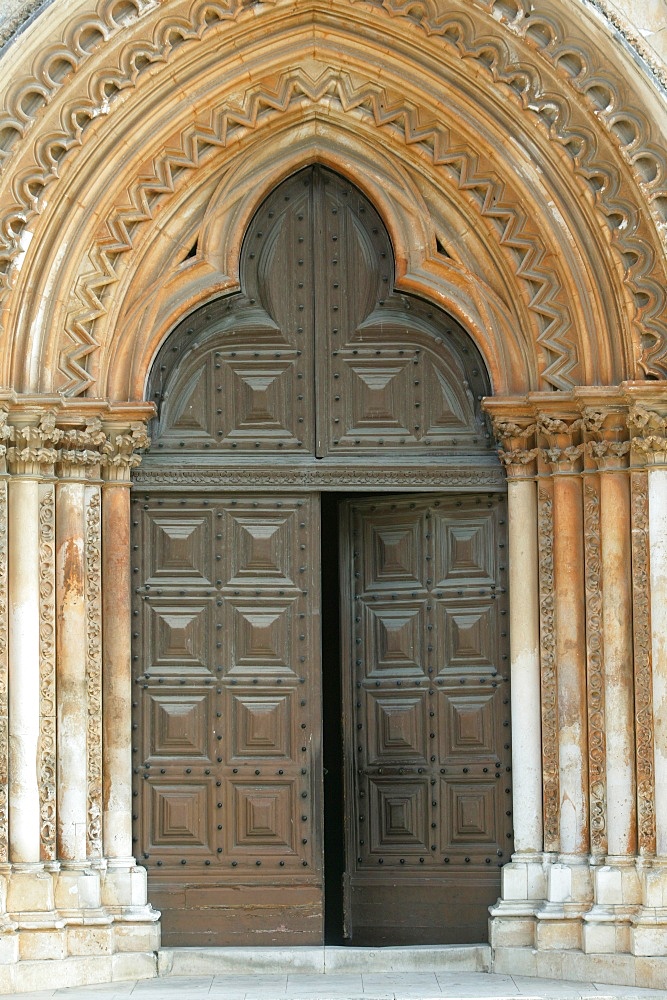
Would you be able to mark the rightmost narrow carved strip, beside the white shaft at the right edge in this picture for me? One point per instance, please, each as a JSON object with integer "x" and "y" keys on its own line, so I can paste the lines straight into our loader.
{"x": 643, "y": 670}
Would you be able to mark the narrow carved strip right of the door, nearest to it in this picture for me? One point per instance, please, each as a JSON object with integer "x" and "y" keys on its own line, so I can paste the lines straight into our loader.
{"x": 550, "y": 761}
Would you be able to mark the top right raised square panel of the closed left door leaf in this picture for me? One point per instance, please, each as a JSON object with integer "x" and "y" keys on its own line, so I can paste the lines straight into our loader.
{"x": 261, "y": 547}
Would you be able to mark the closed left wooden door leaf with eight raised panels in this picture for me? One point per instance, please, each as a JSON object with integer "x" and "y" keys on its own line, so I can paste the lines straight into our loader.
{"x": 226, "y": 749}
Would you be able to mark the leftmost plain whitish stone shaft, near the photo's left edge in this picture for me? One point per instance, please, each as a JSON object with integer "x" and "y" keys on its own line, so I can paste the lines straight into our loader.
{"x": 23, "y": 594}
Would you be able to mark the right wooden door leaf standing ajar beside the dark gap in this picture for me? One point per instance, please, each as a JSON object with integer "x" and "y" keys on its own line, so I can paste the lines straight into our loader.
{"x": 426, "y": 716}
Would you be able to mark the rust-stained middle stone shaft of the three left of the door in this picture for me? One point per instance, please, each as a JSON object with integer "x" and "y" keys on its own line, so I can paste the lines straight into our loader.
{"x": 72, "y": 795}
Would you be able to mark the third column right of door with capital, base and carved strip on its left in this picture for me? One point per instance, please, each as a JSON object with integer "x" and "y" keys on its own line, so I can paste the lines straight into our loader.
{"x": 607, "y": 529}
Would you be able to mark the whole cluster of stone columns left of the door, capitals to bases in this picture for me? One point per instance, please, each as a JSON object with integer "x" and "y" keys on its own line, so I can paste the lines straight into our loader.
{"x": 69, "y": 886}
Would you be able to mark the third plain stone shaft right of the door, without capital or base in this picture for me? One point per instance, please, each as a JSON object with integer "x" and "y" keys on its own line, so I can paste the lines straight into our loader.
{"x": 618, "y": 665}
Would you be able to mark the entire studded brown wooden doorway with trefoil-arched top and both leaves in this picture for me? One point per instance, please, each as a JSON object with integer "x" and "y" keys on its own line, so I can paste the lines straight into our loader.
{"x": 320, "y": 453}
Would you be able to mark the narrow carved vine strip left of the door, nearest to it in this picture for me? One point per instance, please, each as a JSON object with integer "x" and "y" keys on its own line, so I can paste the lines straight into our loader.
{"x": 93, "y": 587}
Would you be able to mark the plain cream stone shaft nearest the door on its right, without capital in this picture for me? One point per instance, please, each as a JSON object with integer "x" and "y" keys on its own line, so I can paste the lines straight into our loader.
{"x": 525, "y": 657}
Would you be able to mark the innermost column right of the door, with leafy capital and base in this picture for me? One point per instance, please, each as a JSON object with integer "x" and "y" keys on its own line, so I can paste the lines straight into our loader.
{"x": 523, "y": 879}
